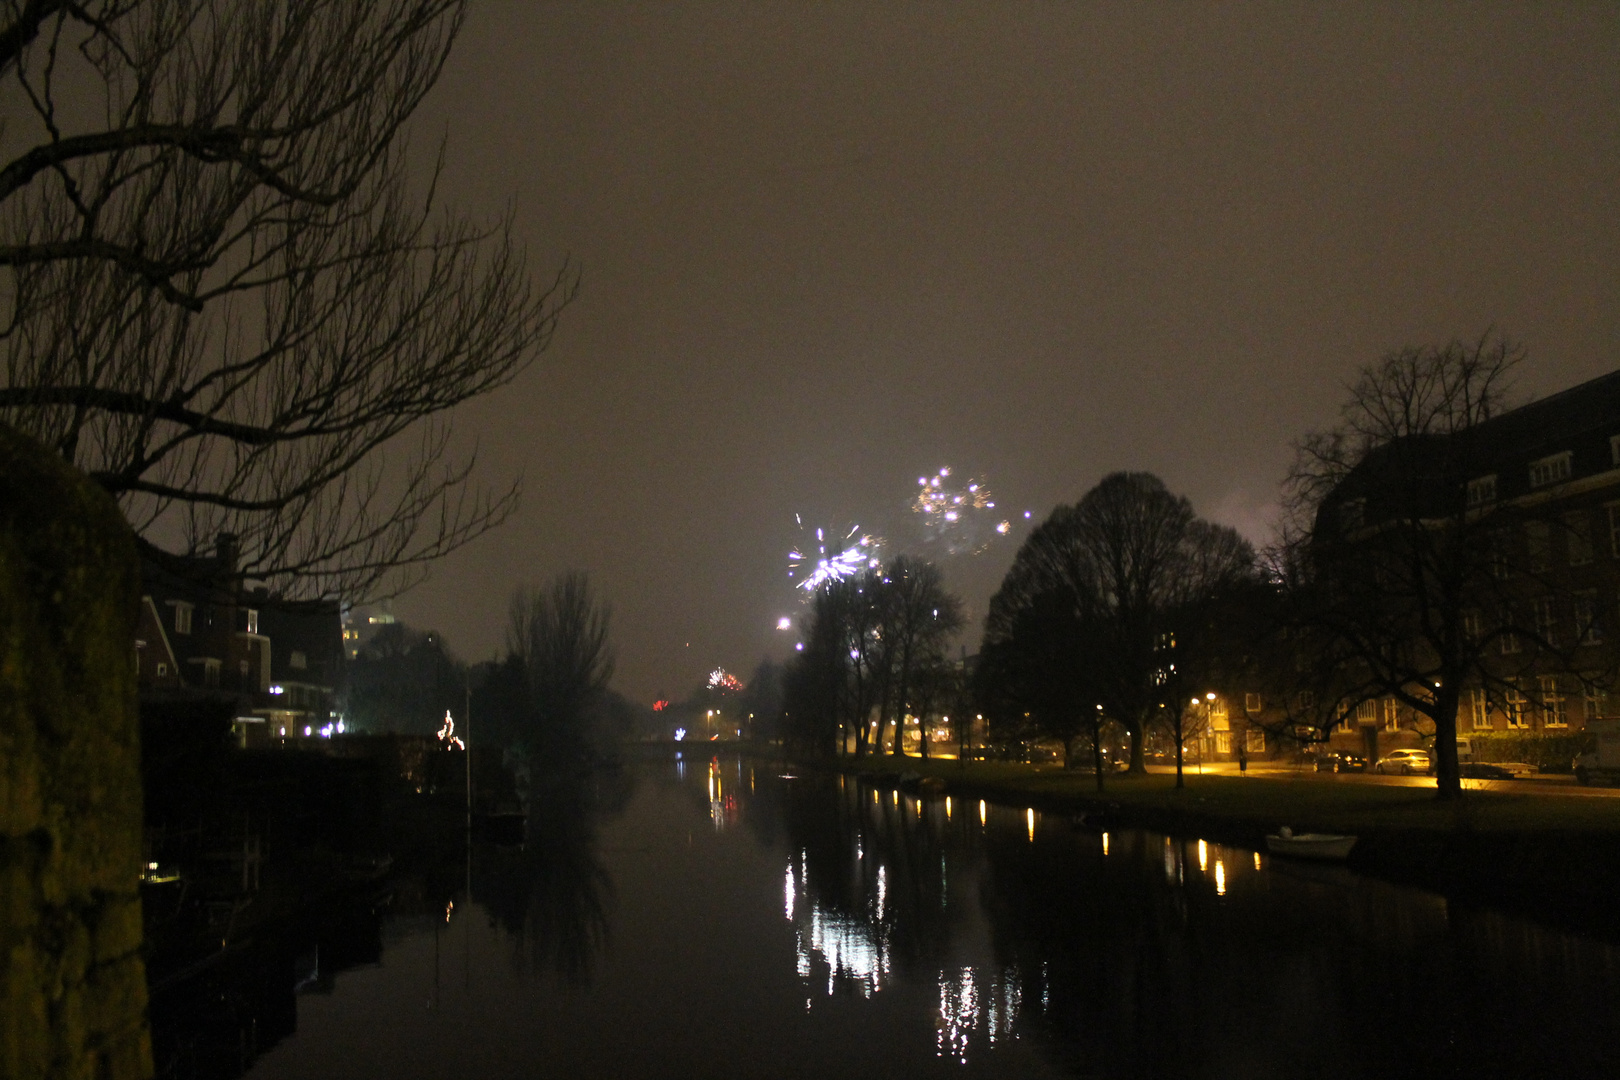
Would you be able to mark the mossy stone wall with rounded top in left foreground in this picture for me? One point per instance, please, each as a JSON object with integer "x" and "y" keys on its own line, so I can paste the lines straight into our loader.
{"x": 72, "y": 984}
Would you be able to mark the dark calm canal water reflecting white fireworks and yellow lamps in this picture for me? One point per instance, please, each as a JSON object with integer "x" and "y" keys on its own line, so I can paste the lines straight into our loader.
{"x": 717, "y": 919}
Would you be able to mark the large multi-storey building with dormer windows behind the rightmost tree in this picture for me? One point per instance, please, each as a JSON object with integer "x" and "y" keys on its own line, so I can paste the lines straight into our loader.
{"x": 1556, "y": 464}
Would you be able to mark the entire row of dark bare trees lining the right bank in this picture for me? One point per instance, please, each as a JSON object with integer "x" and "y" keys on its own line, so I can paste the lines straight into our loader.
{"x": 1396, "y": 577}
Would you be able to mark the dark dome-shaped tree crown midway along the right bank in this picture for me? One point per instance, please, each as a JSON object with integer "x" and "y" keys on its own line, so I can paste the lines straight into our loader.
{"x": 1099, "y": 618}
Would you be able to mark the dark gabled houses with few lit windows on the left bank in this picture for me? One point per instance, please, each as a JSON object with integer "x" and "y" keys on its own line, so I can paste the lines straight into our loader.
{"x": 205, "y": 634}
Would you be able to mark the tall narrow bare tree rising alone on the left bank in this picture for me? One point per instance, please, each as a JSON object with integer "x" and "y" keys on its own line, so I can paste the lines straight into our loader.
{"x": 560, "y": 634}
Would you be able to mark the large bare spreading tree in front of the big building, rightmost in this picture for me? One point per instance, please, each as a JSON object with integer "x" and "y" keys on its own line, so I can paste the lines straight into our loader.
{"x": 1407, "y": 576}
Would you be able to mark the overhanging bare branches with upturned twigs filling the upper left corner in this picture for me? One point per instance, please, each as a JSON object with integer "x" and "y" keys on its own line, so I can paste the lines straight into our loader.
{"x": 226, "y": 300}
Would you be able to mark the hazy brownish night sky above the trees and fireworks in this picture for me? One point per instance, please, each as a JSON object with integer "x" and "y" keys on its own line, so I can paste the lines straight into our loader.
{"x": 832, "y": 249}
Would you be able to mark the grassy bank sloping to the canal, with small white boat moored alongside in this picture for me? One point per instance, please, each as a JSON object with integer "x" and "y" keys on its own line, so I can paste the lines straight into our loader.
{"x": 1554, "y": 859}
